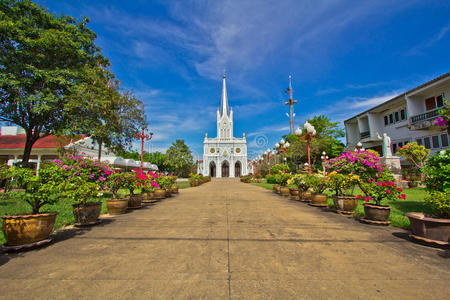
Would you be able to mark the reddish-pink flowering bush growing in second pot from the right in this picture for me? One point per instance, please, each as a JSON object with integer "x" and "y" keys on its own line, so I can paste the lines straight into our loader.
{"x": 381, "y": 188}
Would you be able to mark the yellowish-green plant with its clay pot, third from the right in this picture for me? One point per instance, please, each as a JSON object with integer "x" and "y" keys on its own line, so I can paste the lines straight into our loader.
{"x": 343, "y": 186}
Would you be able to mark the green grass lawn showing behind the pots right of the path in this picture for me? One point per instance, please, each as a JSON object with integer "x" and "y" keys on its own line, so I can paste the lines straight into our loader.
{"x": 413, "y": 203}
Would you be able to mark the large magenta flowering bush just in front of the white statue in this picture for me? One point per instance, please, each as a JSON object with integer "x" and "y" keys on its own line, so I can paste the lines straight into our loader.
{"x": 364, "y": 164}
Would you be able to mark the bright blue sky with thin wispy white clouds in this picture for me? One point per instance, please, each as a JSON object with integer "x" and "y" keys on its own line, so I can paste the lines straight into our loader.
{"x": 344, "y": 56}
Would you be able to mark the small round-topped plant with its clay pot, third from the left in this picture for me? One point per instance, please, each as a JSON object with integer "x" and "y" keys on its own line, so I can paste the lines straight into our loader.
{"x": 116, "y": 205}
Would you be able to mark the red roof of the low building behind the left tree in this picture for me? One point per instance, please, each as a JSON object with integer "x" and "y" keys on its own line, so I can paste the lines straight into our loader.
{"x": 18, "y": 142}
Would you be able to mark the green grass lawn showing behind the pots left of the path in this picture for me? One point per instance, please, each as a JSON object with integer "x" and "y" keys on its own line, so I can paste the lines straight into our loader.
{"x": 14, "y": 206}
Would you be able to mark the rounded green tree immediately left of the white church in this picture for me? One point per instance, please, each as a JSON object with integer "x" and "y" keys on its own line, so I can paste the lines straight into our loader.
{"x": 179, "y": 159}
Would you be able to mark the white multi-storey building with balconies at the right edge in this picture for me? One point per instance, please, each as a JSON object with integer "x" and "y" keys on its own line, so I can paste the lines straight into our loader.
{"x": 405, "y": 118}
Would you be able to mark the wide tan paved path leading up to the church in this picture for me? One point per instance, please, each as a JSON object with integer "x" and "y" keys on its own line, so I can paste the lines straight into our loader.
{"x": 223, "y": 240}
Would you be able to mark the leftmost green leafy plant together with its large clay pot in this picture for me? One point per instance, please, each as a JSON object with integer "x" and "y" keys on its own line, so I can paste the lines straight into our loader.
{"x": 25, "y": 229}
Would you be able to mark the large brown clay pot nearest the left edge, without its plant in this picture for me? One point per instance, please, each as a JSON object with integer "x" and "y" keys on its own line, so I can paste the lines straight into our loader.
{"x": 28, "y": 229}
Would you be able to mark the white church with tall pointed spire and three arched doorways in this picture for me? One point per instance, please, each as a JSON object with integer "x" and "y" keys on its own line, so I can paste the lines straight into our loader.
{"x": 225, "y": 155}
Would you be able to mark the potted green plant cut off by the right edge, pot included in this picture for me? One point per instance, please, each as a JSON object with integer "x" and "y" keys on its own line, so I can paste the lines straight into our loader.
{"x": 434, "y": 228}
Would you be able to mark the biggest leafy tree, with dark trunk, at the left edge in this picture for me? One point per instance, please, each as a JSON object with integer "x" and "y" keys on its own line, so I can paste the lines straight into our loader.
{"x": 43, "y": 59}
